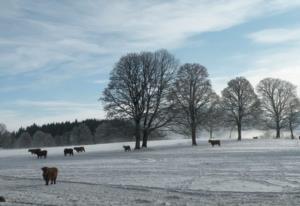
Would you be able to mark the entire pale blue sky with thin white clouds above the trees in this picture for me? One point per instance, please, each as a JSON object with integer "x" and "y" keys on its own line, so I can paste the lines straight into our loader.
{"x": 56, "y": 56}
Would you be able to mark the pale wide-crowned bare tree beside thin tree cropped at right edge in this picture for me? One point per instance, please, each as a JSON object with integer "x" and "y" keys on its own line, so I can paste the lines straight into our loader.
{"x": 275, "y": 96}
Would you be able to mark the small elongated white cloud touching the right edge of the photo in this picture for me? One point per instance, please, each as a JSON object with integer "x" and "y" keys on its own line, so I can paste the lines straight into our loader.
{"x": 276, "y": 35}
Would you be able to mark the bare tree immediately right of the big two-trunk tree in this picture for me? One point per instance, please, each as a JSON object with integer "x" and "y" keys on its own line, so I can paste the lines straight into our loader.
{"x": 191, "y": 94}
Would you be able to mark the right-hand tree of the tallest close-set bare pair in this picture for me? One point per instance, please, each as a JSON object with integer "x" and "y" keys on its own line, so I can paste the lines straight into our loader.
{"x": 158, "y": 70}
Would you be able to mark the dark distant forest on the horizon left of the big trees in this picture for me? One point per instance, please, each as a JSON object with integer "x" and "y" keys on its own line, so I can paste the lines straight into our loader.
{"x": 90, "y": 131}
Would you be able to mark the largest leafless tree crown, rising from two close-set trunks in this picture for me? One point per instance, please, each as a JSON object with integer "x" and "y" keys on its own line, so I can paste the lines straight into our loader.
{"x": 137, "y": 90}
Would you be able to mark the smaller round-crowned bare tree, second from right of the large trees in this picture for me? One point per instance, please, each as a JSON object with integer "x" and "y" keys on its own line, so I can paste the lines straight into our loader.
{"x": 240, "y": 103}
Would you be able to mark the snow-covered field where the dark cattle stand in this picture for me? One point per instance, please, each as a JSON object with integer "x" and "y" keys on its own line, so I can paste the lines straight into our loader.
{"x": 170, "y": 172}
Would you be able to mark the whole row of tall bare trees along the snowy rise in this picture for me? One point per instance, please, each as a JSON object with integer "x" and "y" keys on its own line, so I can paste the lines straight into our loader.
{"x": 155, "y": 91}
